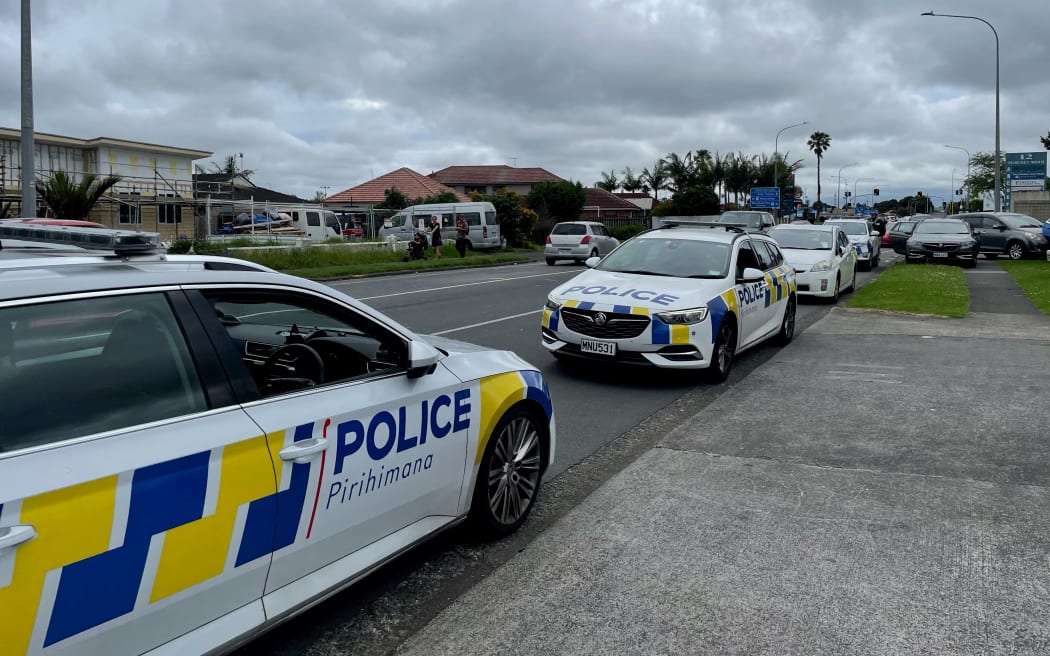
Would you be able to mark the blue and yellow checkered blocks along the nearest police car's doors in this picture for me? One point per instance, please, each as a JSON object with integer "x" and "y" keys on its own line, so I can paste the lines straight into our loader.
{"x": 98, "y": 584}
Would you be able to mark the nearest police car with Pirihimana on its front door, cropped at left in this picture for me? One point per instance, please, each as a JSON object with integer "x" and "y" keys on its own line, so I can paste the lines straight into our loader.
{"x": 196, "y": 449}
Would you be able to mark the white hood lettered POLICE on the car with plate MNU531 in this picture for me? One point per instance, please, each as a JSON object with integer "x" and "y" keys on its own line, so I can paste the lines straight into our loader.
{"x": 657, "y": 293}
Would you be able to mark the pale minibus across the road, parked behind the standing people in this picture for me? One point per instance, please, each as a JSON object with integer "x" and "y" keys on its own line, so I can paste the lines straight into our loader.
{"x": 481, "y": 218}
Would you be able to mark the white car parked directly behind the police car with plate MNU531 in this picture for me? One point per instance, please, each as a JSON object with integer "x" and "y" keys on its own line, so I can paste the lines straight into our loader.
{"x": 825, "y": 262}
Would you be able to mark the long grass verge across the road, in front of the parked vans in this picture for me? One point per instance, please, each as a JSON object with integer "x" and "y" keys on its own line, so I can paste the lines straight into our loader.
{"x": 331, "y": 264}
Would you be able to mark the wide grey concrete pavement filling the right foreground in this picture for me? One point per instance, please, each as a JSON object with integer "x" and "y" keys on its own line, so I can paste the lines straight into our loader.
{"x": 880, "y": 486}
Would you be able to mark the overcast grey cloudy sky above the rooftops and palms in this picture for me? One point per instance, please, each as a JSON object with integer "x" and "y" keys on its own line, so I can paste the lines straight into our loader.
{"x": 333, "y": 93}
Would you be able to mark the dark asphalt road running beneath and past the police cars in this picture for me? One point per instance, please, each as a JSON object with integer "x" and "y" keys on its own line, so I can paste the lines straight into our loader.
{"x": 606, "y": 419}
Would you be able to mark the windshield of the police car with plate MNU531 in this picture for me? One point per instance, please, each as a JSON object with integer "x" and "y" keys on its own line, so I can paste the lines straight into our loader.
{"x": 681, "y": 259}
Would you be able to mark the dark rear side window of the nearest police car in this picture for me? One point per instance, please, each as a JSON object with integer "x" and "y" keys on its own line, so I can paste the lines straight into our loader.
{"x": 93, "y": 366}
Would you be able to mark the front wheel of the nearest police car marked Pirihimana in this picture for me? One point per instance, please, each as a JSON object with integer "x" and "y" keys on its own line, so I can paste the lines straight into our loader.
{"x": 510, "y": 474}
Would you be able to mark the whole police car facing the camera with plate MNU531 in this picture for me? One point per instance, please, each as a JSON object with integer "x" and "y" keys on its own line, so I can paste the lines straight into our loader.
{"x": 687, "y": 295}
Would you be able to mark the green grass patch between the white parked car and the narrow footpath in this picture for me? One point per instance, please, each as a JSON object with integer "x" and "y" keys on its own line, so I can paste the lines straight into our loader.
{"x": 917, "y": 289}
